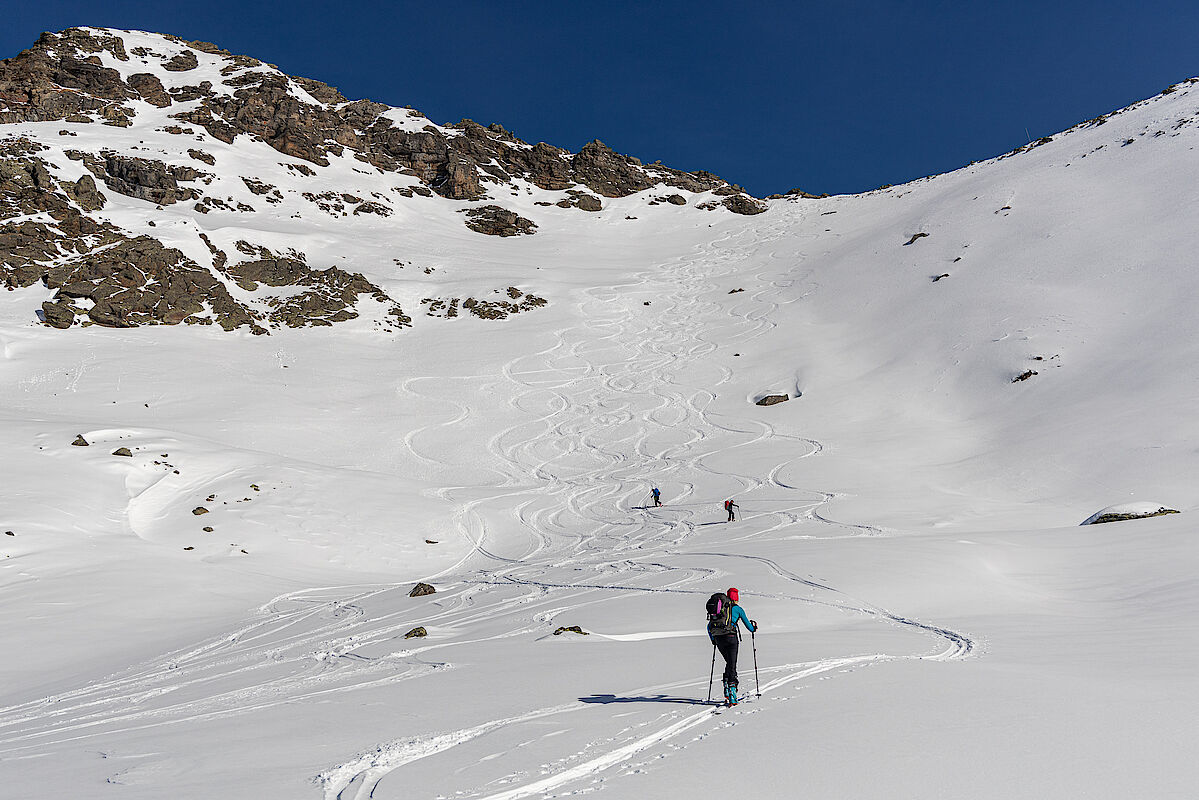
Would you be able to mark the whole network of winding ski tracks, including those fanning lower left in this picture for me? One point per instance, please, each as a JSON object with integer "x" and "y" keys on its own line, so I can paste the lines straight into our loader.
{"x": 605, "y": 414}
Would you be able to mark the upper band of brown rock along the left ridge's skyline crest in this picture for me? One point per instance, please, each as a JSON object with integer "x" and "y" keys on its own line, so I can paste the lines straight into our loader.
{"x": 59, "y": 79}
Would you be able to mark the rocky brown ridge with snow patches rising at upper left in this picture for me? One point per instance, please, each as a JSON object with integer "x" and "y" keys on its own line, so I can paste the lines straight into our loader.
{"x": 104, "y": 131}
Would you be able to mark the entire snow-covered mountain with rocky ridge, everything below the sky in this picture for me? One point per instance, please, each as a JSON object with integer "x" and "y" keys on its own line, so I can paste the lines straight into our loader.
{"x": 272, "y": 357}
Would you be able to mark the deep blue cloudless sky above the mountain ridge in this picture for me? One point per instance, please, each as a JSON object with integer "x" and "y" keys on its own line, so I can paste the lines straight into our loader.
{"x": 824, "y": 97}
